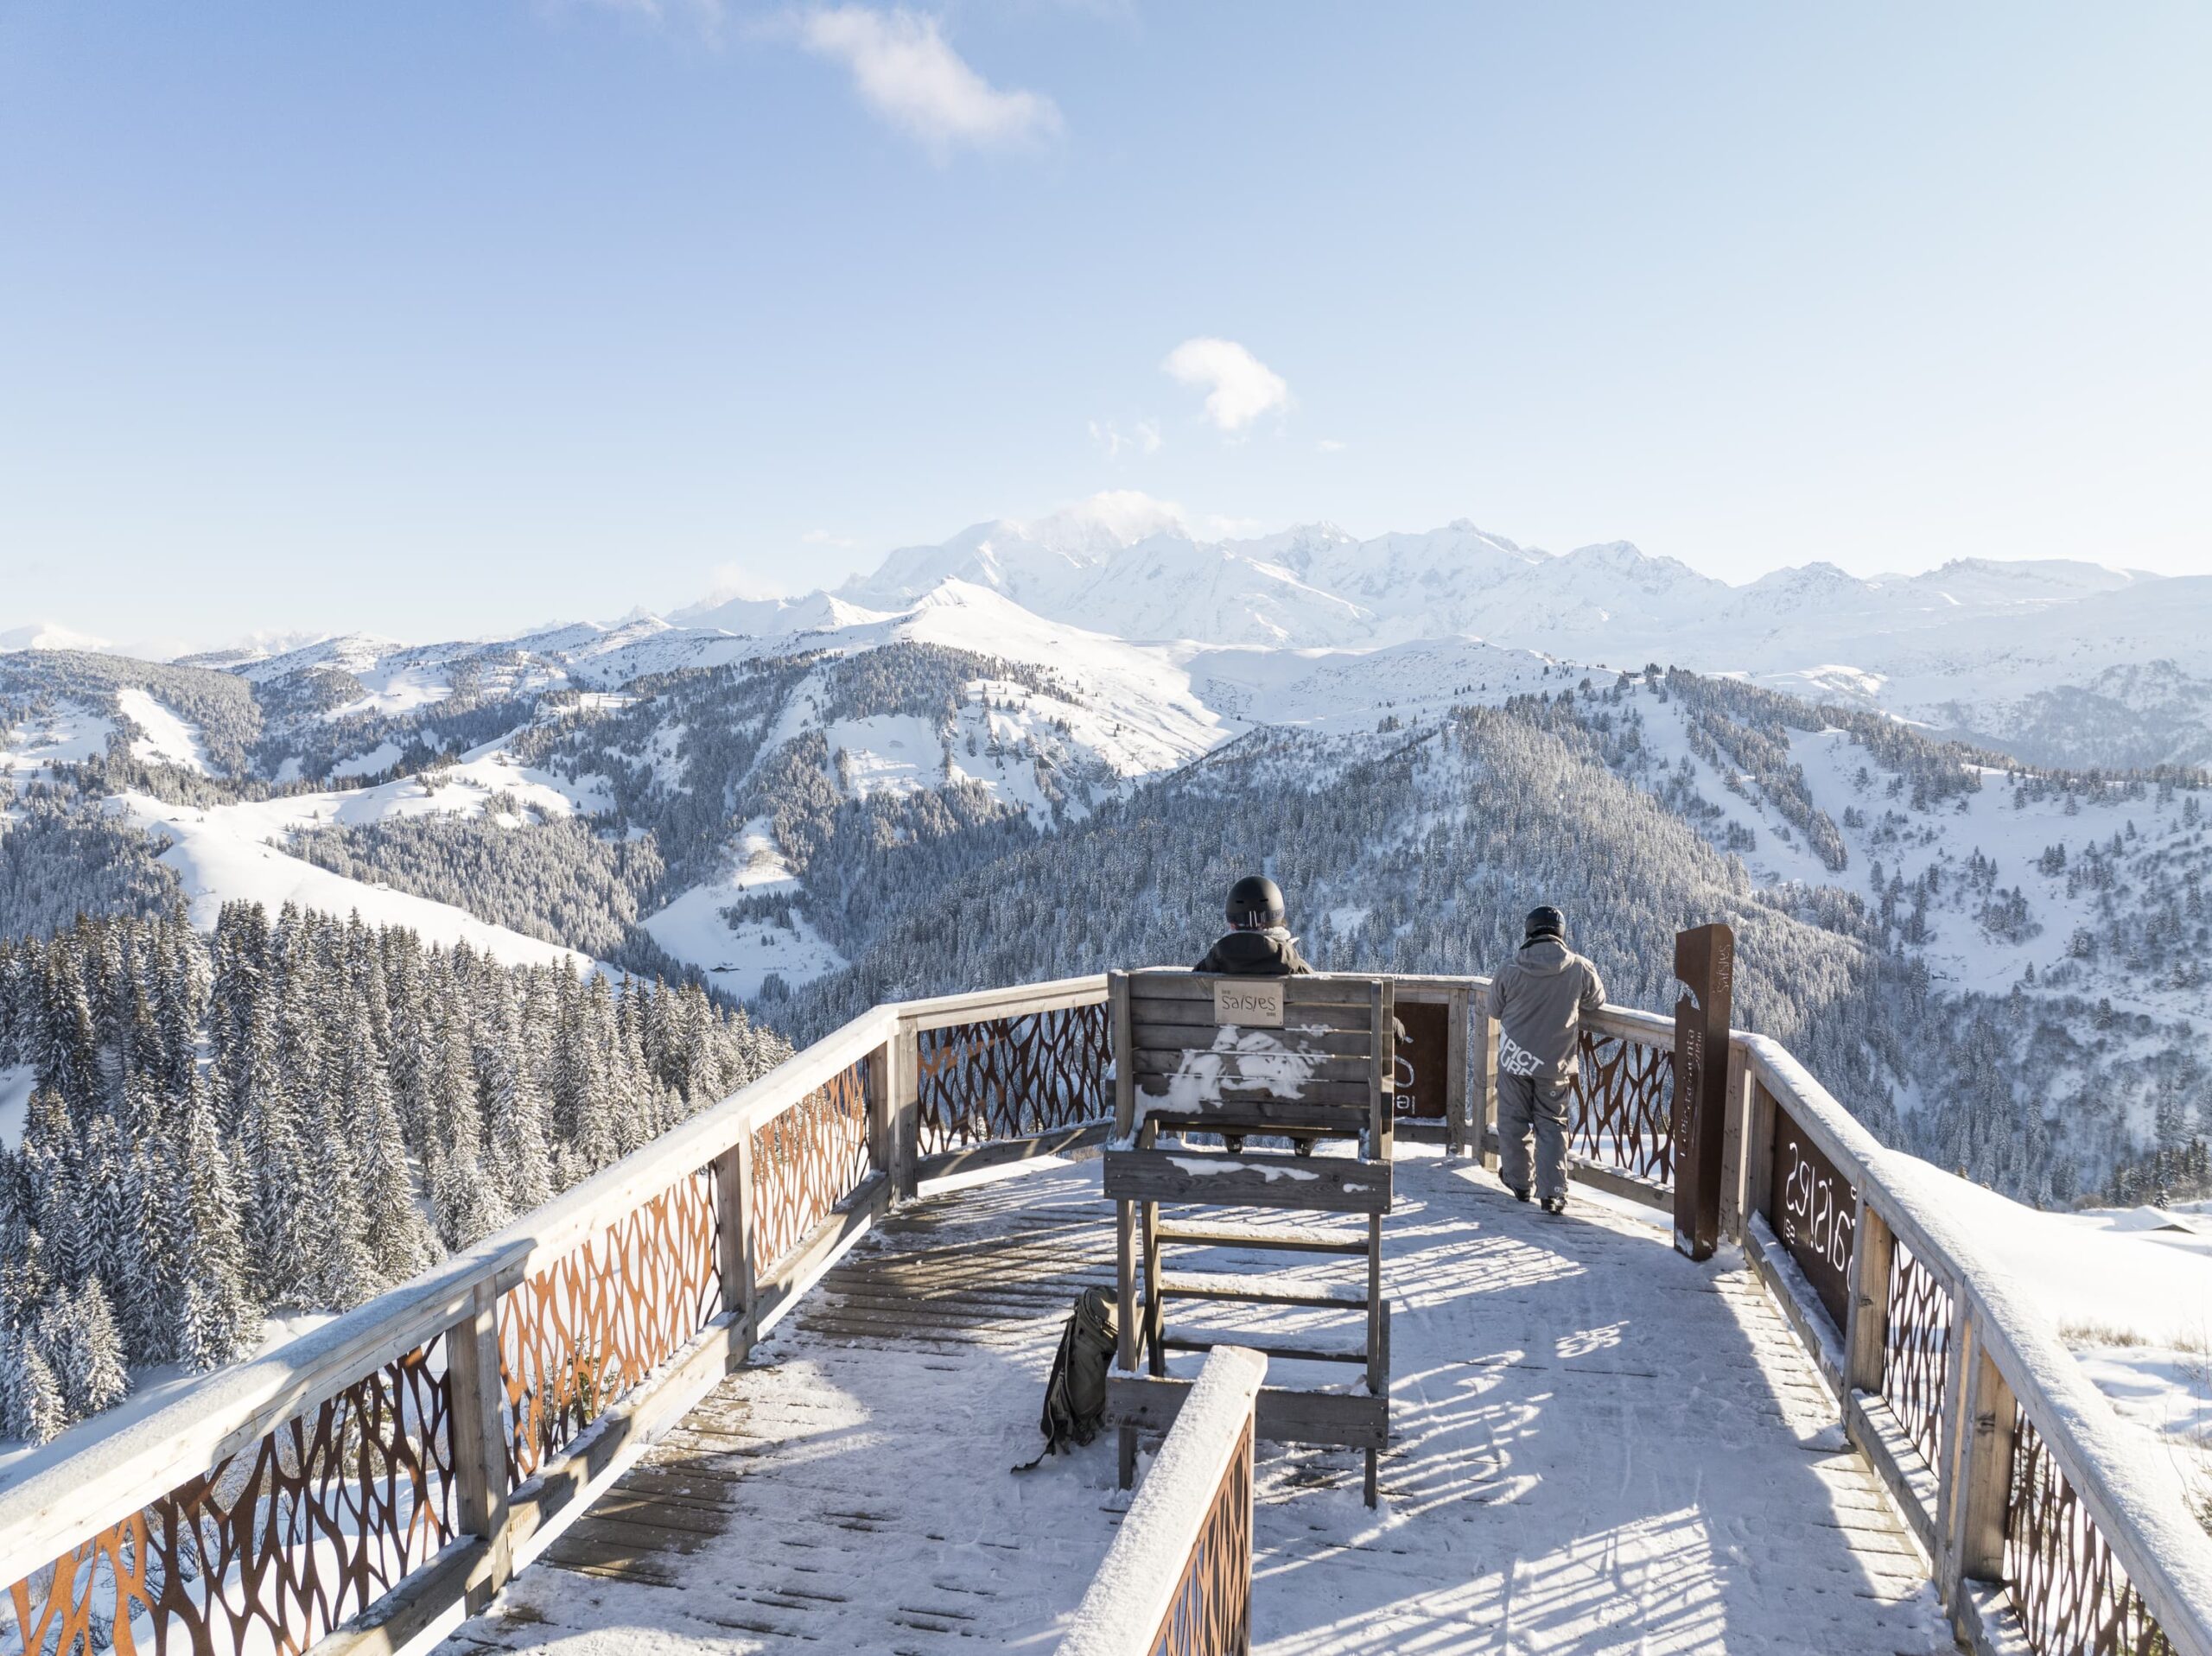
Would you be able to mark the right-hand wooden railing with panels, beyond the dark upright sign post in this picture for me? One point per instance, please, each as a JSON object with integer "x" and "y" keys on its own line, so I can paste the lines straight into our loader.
{"x": 2049, "y": 1527}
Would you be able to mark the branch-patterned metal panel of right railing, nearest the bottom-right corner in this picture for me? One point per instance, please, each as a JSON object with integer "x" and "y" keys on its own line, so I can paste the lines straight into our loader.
{"x": 2067, "y": 1589}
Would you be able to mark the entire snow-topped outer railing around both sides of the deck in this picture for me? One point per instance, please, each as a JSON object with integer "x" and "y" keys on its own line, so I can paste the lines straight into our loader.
{"x": 404, "y": 1460}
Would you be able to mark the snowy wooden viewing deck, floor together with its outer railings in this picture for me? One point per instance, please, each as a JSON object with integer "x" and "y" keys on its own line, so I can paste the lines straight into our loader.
{"x": 1850, "y": 1429}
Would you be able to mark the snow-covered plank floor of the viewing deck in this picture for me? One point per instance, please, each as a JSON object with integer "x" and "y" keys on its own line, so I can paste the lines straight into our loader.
{"x": 1598, "y": 1447}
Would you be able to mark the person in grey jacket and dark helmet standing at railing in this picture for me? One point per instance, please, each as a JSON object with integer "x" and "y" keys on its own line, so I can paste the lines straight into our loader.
{"x": 1541, "y": 1000}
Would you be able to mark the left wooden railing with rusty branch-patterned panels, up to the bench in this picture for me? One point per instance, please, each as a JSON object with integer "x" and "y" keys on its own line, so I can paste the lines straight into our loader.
{"x": 357, "y": 1485}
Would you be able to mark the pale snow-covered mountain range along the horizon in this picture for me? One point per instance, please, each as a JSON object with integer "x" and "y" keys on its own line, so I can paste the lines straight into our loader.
{"x": 2052, "y": 660}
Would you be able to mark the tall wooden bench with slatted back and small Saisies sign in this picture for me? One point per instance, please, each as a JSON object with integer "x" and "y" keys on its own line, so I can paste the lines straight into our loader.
{"x": 1251, "y": 1058}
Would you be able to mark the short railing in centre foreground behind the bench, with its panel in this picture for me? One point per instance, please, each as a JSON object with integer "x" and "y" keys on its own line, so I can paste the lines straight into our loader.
{"x": 1178, "y": 1580}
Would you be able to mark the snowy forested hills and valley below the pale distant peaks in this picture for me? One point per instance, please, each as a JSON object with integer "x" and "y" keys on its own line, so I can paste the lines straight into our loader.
{"x": 1996, "y": 965}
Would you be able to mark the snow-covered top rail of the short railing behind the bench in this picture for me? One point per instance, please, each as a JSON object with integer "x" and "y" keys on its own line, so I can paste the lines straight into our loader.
{"x": 1145, "y": 1566}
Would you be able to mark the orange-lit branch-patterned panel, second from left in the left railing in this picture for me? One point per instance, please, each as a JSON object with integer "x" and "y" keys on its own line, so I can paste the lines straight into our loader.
{"x": 589, "y": 1330}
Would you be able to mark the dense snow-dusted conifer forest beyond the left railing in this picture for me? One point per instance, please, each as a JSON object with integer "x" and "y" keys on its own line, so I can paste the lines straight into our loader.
{"x": 291, "y": 1115}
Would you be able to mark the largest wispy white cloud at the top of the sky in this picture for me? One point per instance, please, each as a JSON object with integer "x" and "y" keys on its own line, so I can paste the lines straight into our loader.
{"x": 910, "y": 76}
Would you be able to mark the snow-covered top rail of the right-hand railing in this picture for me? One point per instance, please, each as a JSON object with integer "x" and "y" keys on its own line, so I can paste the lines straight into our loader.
{"x": 2138, "y": 1498}
